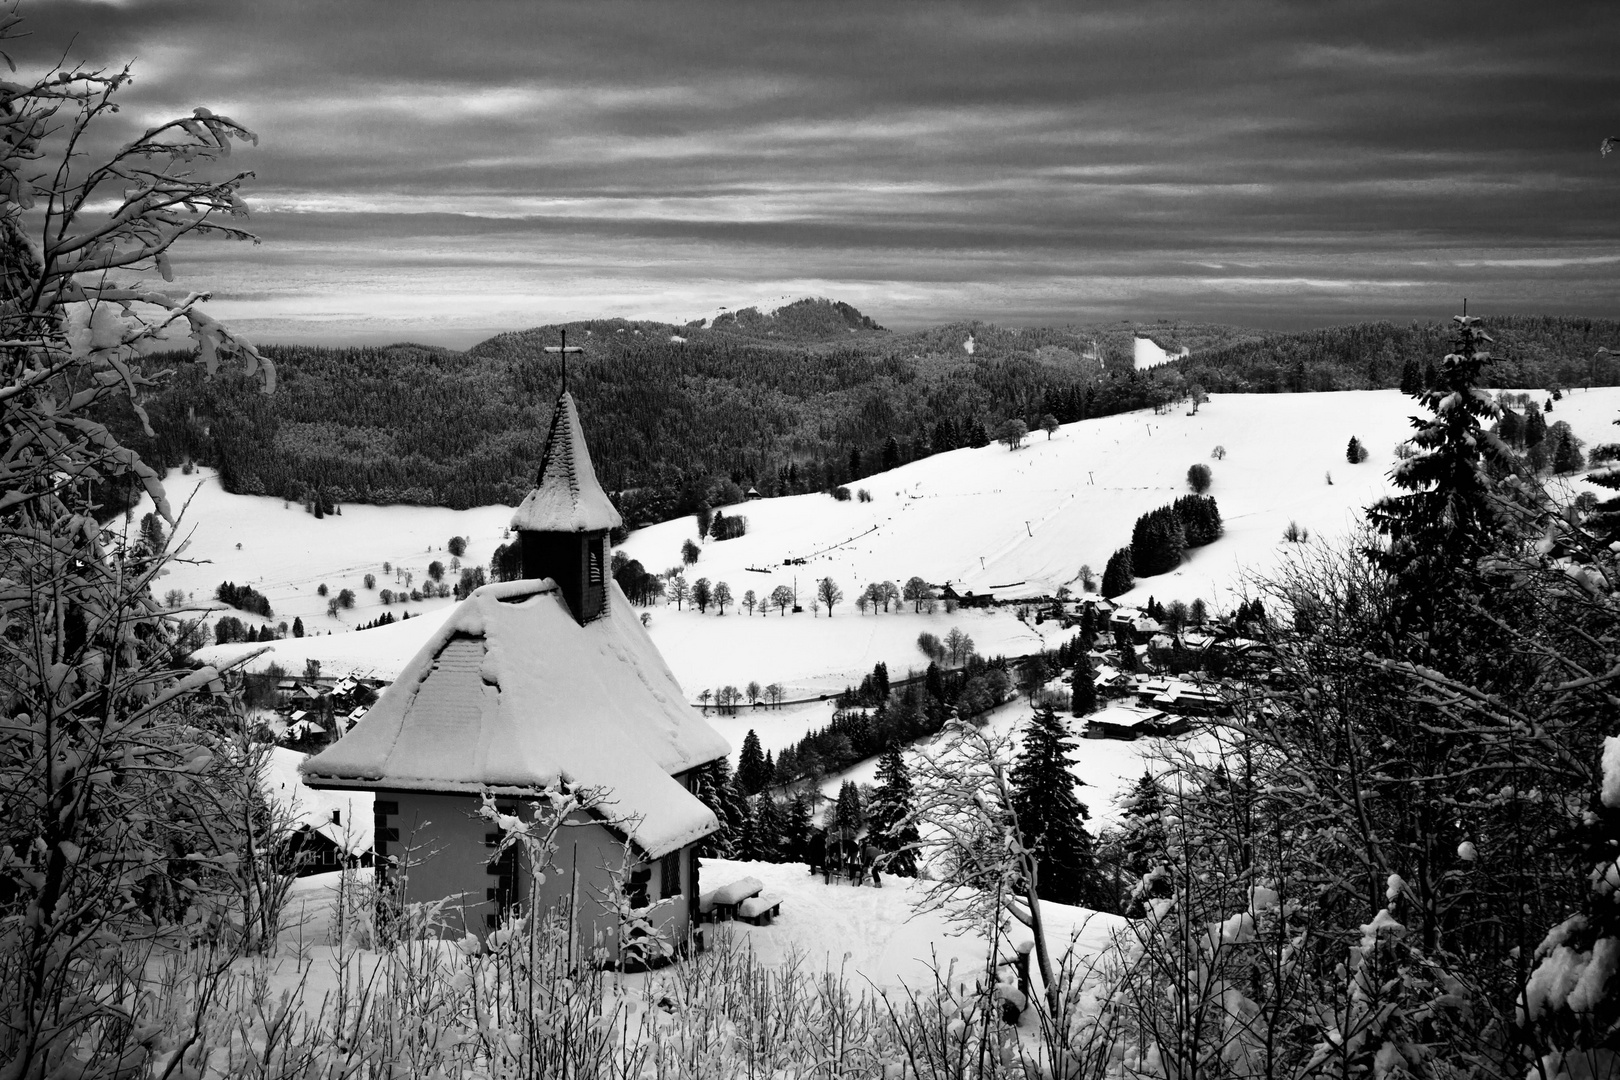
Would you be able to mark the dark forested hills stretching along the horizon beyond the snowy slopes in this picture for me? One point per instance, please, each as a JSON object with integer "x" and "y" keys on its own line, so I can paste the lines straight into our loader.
{"x": 808, "y": 398}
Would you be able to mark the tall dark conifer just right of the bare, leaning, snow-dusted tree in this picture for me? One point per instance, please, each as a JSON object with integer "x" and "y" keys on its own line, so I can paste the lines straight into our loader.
{"x": 1051, "y": 817}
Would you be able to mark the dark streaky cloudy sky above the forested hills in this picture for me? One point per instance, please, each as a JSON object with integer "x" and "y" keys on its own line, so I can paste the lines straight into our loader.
{"x": 445, "y": 171}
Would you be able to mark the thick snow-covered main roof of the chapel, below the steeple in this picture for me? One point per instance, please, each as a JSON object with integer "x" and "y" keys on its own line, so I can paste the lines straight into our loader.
{"x": 514, "y": 695}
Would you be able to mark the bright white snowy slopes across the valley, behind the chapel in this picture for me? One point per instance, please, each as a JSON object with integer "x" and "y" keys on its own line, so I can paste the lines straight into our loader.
{"x": 1012, "y": 522}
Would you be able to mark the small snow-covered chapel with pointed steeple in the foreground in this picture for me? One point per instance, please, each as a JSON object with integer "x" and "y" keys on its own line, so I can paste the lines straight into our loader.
{"x": 547, "y": 681}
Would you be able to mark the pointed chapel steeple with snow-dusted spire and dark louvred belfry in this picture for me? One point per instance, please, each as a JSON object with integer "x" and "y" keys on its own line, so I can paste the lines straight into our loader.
{"x": 563, "y": 525}
